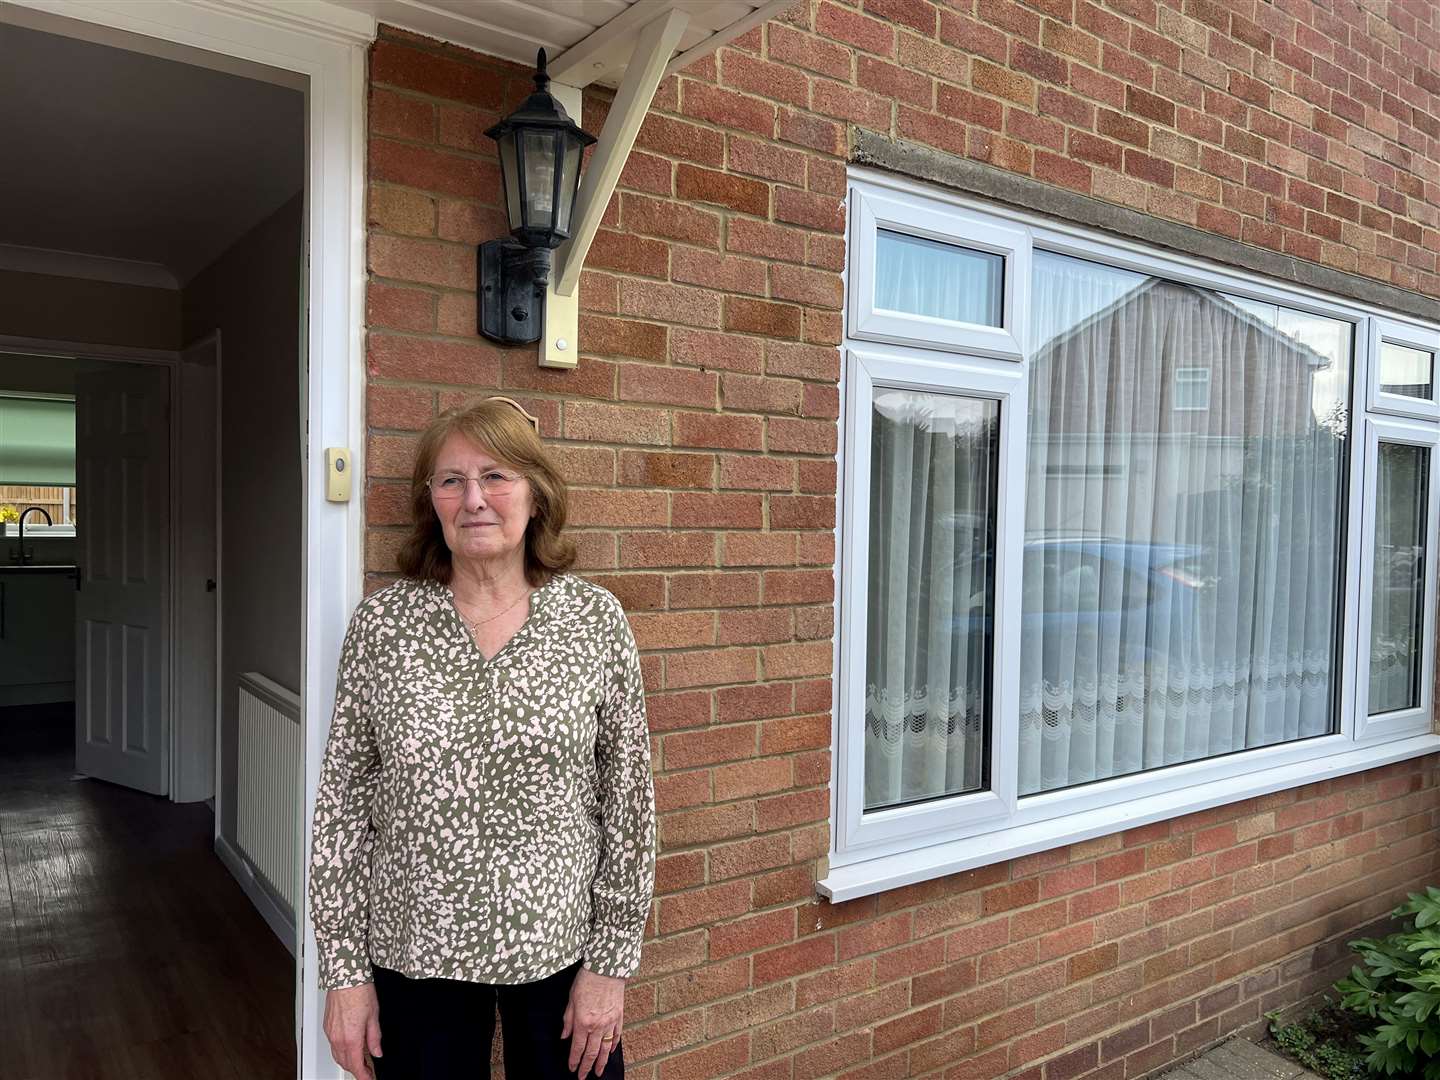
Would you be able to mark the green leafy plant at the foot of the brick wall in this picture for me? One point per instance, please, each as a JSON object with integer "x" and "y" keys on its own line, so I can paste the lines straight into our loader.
{"x": 1399, "y": 991}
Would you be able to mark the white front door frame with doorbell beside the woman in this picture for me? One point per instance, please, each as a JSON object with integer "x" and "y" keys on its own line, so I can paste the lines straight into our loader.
{"x": 328, "y": 47}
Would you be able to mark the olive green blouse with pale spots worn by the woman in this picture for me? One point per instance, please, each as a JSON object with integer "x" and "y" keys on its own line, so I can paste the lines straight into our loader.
{"x": 479, "y": 820}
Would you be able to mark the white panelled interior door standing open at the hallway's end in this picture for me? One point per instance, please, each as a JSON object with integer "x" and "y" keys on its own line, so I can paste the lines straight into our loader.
{"x": 123, "y": 608}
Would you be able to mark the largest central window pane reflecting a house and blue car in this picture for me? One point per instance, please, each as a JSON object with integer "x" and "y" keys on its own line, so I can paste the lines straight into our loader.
{"x": 1182, "y": 562}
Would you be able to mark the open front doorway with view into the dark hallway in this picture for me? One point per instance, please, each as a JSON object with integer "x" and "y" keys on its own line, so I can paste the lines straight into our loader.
{"x": 165, "y": 214}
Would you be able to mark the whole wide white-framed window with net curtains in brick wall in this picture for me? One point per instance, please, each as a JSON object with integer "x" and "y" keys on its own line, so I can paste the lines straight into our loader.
{"x": 1124, "y": 536}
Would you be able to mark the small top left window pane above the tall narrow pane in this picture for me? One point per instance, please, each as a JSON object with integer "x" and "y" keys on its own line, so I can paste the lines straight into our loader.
{"x": 938, "y": 280}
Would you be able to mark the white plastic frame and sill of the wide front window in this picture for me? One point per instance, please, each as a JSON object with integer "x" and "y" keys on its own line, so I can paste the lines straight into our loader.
{"x": 891, "y": 849}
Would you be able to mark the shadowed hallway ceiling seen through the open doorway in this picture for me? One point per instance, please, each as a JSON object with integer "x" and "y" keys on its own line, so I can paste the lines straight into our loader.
{"x": 122, "y": 156}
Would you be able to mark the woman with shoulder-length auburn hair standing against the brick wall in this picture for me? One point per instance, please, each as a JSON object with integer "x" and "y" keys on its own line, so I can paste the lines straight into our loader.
{"x": 485, "y": 830}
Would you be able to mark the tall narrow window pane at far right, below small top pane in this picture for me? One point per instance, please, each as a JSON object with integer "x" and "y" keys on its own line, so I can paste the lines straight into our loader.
{"x": 1398, "y": 614}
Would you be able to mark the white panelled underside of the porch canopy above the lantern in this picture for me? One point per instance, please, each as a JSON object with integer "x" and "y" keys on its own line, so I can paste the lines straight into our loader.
{"x": 587, "y": 41}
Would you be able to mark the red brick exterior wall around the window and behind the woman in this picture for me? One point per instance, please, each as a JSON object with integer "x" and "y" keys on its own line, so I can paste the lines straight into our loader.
{"x": 699, "y": 433}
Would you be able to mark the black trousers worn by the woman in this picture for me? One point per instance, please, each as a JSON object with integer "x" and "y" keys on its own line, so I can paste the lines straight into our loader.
{"x": 444, "y": 1029}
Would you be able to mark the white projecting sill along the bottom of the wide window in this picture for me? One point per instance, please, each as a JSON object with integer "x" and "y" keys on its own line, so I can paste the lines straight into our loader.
{"x": 866, "y": 878}
